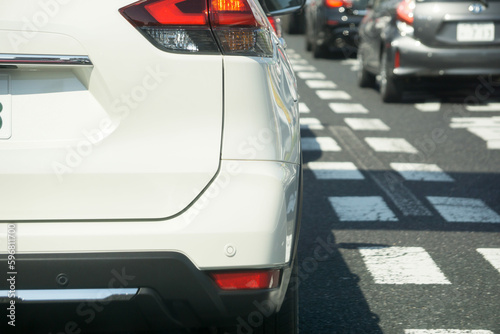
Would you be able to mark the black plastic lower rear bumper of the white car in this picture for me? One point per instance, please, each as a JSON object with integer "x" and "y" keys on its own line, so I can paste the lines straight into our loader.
{"x": 171, "y": 292}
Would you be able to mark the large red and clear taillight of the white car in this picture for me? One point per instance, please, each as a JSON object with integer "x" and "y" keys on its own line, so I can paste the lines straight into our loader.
{"x": 233, "y": 27}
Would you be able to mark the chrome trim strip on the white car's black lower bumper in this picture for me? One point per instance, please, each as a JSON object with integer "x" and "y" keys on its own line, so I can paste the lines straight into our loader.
{"x": 69, "y": 295}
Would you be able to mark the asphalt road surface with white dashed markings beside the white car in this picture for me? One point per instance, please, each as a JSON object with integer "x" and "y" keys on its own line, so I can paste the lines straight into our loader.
{"x": 401, "y": 214}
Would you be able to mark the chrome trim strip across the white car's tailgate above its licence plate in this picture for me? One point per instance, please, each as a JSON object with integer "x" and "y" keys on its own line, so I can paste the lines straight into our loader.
{"x": 36, "y": 60}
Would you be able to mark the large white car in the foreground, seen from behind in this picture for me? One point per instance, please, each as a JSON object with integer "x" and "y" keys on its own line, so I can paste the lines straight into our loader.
{"x": 150, "y": 167}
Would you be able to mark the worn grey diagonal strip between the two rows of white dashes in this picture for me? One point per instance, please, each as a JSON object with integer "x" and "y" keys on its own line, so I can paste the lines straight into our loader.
{"x": 390, "y": 183}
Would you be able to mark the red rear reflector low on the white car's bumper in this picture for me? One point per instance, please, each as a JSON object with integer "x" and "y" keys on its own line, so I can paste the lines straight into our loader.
{"x": 261, "y": 279}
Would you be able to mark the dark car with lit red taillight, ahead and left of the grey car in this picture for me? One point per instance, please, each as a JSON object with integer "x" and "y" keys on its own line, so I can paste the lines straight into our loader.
{"x": 333, "y": 25}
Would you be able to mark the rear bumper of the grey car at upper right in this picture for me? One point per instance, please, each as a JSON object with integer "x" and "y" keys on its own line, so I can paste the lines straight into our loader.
{"x": 424, "y": 61}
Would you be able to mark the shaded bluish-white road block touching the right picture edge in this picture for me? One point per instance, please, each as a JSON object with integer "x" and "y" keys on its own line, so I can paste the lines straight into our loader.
{"x": 464, "y": 210}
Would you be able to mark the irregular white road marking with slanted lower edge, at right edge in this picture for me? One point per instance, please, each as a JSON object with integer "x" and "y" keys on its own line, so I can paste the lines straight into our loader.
{"x": 486, "y": 128}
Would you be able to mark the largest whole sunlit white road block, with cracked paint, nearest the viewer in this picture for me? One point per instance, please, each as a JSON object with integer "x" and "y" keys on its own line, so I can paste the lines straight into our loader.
{"x": 402, "y": 265}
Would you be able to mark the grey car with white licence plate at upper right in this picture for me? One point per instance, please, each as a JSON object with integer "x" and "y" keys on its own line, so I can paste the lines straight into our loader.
{"x": 405, "y": 41}
